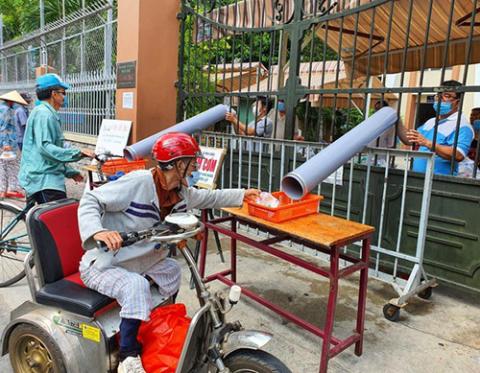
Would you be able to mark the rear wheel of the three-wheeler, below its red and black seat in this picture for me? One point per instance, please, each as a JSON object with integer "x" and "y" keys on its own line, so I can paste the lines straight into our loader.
{"x": 32, "y": 350}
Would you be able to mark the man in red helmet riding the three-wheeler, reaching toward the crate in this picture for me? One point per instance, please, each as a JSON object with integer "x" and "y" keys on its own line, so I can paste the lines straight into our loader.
{"x": 135, "y": 202}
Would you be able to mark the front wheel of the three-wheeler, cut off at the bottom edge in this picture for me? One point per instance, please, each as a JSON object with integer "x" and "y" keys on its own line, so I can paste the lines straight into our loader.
{"x": 254, "y": 361}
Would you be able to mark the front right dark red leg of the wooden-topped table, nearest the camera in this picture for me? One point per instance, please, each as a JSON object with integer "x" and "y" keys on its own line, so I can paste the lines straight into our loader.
{"x": 330, "y": 316}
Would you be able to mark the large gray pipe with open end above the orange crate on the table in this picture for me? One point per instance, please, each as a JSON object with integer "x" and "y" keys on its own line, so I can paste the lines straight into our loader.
{"x": 303, "y": 179}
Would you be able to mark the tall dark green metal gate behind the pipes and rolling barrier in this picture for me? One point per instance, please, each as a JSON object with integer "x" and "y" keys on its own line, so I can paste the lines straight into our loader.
{"x": 330, "y": 62}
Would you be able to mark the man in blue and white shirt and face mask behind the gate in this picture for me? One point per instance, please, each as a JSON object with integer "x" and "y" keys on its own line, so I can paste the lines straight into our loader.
{"x": 446, "y": 104}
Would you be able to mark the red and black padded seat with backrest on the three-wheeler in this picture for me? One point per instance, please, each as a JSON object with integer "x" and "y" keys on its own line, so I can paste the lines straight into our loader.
{"x": 55, "y": 239}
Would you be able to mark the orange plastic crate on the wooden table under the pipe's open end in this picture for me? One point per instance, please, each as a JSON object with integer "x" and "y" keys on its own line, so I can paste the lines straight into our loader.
{"x": 288, "y": 208}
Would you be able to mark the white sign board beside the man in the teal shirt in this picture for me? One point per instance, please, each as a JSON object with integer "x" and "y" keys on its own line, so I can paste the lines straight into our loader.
{"x": 113, "y": 136}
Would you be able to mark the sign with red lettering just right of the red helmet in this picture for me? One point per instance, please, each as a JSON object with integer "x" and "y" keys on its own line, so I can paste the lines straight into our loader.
{"x": 209, "y": 167}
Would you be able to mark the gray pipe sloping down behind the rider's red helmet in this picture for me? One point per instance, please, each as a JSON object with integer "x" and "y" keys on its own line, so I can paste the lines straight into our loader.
{"x": 194, "y": 124}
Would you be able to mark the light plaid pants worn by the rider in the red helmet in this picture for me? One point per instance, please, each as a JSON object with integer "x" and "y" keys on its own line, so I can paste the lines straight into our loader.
{"x": 132, "y": 290}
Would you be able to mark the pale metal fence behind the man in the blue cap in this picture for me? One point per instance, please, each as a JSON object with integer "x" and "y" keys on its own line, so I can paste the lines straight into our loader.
{"x": 81, "y": 47}
